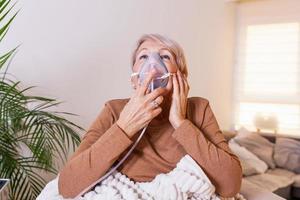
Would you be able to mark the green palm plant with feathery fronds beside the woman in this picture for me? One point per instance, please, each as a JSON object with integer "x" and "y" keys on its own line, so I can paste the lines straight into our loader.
{"x": 32, "y": 137}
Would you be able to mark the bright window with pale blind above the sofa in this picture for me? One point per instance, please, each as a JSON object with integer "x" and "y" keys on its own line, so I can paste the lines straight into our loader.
{"x": 267, "y": 77}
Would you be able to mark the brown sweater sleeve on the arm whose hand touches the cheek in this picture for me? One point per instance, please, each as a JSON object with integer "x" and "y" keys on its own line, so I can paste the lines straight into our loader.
{"x": 208, "y": 147}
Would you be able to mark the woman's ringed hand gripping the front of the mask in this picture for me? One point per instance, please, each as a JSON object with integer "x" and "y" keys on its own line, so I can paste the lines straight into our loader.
{"x": 140, "y": 110}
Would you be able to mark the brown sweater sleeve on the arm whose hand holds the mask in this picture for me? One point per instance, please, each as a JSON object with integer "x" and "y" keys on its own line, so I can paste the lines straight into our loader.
{"x": 99, "y": 149}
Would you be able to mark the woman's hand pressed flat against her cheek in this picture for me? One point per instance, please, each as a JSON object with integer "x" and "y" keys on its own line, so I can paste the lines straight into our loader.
{"x": 178, "y": 107}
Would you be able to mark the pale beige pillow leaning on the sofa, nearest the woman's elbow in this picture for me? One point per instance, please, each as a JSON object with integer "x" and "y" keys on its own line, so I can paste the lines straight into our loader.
{"x": 257, "y": 144}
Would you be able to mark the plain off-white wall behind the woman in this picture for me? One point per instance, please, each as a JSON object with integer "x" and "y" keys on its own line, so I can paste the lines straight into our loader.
{"x": 79, "y": 52}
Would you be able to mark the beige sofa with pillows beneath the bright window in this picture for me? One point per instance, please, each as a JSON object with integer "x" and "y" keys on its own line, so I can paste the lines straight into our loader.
{"x": 273, "y": 181}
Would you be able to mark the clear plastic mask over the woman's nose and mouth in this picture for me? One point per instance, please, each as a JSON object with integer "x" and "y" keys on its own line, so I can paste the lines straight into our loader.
{"x": 161, "y": 75}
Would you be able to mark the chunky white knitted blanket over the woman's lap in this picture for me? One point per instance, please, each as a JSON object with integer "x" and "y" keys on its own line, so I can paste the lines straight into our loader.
{"x": 186, "y": 181}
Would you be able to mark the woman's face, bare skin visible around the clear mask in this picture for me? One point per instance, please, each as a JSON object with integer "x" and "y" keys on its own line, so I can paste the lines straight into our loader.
{"x": 167, "y": 57}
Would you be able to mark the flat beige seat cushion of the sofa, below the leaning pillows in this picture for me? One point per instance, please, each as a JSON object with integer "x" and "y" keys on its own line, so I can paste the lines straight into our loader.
{"x": 272, "y": 179}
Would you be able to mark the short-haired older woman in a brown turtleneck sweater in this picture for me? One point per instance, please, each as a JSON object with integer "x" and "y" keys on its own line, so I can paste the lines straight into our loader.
{"x": 177, "y": 125}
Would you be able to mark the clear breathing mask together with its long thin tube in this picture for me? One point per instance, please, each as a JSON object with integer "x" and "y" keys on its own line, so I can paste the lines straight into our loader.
{"x": 160, "y": 79}
